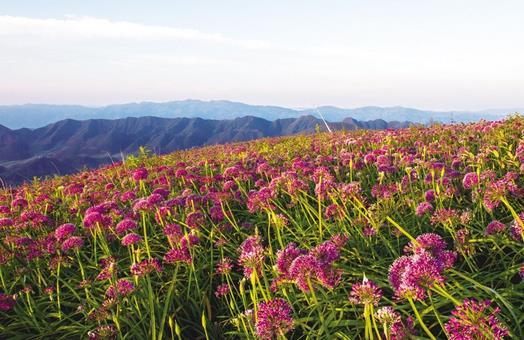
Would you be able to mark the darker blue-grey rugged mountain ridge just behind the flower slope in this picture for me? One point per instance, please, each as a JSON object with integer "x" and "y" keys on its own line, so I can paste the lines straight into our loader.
{"x": 70, "y": 145}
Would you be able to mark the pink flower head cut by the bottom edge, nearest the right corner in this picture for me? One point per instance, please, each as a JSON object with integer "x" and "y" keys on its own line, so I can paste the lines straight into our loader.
{"x": 473, "y": 320}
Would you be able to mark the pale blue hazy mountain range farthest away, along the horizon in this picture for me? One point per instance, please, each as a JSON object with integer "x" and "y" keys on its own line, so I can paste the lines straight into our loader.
{"x": 38, "y": 115}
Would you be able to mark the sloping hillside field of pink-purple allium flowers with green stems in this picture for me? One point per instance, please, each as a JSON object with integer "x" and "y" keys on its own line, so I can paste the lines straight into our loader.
{"x": 414, "y": 233}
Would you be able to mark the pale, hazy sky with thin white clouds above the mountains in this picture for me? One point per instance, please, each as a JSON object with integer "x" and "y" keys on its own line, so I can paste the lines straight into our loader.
{"x": 440, "y": 55}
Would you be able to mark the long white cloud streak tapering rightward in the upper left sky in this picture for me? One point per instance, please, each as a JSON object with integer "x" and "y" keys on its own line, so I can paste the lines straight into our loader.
{"x": 90, "y": 28}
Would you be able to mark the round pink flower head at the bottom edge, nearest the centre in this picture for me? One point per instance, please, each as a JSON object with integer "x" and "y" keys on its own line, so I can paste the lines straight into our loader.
{"x": 274, "y": 319}
